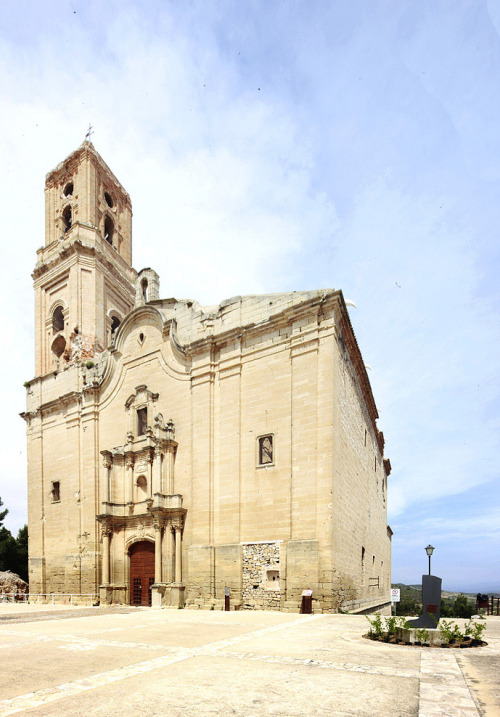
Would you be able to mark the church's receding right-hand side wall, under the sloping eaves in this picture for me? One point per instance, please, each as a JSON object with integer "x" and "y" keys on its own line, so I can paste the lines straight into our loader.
{"x": 362, "y": 557}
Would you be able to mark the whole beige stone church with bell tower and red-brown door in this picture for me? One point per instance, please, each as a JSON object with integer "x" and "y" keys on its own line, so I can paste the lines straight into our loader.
{"x": 180, "y": 453}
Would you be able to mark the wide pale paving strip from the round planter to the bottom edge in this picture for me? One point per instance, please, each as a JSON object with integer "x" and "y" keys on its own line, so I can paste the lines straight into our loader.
{"x": 443, "y": 689}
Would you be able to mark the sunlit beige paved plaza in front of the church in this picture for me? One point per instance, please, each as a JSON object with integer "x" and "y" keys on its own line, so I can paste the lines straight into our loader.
{"x": 140, "y": 661}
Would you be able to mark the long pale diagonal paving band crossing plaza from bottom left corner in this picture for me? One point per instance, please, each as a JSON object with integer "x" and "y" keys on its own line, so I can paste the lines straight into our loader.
{"x": 32, "y": 700}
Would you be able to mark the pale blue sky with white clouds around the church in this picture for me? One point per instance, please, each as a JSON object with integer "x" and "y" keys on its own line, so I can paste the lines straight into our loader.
{"x": 276, "y": 146}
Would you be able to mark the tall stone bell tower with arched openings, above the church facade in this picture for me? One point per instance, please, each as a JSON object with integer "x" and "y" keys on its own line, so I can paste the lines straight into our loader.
{"x": 83, "y": 279}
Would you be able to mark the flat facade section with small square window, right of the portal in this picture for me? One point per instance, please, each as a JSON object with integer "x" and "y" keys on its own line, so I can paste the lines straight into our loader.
{"x": 278, "y": 385}
